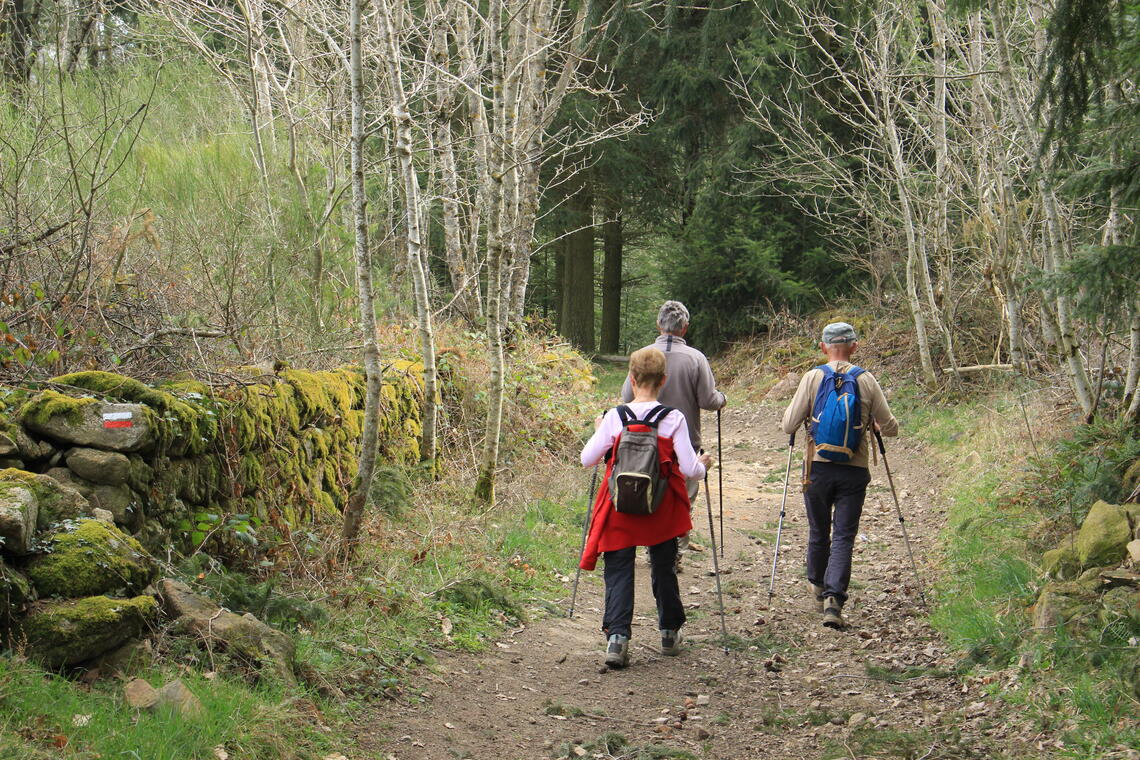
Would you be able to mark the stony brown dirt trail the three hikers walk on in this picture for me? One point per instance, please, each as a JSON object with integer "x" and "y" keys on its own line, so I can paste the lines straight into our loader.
{"x": 789, "y": 688}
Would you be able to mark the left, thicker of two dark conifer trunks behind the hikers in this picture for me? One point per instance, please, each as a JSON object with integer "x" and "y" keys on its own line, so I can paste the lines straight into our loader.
{"x": 579, "y": 288}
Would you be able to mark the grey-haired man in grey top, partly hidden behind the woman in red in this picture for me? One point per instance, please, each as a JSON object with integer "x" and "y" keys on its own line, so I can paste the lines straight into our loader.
{"x": 691, "y": 388}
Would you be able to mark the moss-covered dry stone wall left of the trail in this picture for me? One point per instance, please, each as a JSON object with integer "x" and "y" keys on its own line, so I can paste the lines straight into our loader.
{"x": 100, "y": 472}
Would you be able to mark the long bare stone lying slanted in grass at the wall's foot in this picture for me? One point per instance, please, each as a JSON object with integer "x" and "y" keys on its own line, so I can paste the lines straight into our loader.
{"x": 241, "y": 635}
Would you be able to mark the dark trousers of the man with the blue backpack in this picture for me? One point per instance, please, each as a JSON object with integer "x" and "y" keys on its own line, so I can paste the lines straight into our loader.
{"x": 835, "y": 505}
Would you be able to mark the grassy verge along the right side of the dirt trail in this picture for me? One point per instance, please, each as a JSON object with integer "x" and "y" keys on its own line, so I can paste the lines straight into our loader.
{"x": 1008, "y": 492}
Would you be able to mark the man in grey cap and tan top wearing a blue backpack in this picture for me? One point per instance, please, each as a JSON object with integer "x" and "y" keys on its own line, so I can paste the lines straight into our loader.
{"x": 834, "y": 488}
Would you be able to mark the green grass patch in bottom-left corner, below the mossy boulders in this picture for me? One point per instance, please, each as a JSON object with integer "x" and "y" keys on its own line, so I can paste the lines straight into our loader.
{"x": 45, "y": 716}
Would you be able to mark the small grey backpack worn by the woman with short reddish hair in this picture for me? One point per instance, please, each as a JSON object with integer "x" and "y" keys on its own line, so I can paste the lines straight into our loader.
{"x": 637, "y": 483}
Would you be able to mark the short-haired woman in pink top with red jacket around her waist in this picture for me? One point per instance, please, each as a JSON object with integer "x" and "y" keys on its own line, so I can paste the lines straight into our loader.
{"x": 617, "y": 535}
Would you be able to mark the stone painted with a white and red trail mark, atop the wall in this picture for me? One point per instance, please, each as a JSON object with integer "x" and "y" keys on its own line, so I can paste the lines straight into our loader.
{"x": 91, "y": 423}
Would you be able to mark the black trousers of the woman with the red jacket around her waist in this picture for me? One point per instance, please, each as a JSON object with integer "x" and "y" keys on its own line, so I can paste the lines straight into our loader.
{"x": 620, "y": 589}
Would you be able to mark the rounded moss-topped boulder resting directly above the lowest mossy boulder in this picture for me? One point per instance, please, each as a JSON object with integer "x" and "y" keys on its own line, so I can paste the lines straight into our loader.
{"x": 87, "y": 558}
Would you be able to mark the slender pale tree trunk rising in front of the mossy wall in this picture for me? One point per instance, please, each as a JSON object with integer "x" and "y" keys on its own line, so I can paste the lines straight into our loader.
{"x": 359, "y": 497}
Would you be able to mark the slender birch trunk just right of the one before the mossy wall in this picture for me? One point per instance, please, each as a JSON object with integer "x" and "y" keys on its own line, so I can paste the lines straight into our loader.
{"x": 417, "y": 250}
